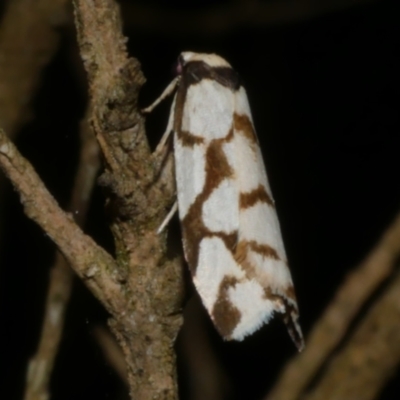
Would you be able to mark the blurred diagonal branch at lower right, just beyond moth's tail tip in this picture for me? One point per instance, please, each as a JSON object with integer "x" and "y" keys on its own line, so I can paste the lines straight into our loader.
{"x": 334, "y": 323}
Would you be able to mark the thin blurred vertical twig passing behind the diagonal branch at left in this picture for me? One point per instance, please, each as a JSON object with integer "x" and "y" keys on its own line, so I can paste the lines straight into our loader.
{"x": 61, "y": 276}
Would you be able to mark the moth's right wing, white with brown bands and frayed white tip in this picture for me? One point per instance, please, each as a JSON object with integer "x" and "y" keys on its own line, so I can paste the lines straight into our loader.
{"x": 268, "y": 286}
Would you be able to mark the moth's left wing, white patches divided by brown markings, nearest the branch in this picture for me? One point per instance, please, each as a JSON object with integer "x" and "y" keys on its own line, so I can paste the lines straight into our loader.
{"x": 208, "y": 194}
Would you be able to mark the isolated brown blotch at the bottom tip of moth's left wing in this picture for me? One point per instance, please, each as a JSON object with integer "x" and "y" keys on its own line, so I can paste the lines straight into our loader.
{"x": 224, "y": 314}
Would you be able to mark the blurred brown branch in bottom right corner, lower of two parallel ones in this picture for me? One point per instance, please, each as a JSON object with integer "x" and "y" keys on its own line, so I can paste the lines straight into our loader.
{"x": 370, "y": 357}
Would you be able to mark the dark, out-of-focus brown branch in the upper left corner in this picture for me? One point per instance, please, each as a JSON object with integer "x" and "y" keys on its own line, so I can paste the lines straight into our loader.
{"x": 28, "y": 40}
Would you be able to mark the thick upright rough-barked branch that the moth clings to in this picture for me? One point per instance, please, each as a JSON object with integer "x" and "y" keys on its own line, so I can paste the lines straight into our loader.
{"x": 138, "y": 200}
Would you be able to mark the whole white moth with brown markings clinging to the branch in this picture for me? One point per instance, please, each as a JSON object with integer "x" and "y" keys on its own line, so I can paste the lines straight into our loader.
{"x": 231, "y": 236}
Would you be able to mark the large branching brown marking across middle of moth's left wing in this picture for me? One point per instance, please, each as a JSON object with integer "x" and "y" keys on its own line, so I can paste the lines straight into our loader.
{"x": 193, "y": 228}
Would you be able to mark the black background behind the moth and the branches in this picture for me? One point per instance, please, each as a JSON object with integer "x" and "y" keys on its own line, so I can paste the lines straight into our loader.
{"x": 324, "y": 95}
